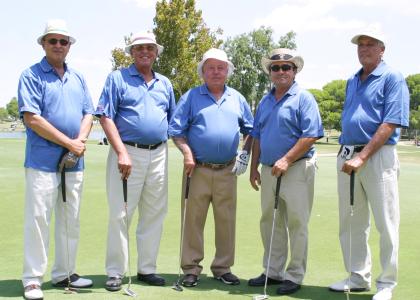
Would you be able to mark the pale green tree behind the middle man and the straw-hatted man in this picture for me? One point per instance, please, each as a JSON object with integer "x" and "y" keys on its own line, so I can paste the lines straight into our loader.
{"x": 246, "y": 51}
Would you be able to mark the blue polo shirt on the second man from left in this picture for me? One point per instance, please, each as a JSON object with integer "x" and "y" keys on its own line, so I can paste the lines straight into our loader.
{"x": 140, "y": 110}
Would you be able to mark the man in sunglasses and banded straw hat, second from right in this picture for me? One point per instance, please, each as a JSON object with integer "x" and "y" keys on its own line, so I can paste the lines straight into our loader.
{"x": 287, "y": 124}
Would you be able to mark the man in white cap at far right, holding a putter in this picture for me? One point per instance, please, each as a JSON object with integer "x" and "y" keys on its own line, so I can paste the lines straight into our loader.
{"x": 375, "y": 108}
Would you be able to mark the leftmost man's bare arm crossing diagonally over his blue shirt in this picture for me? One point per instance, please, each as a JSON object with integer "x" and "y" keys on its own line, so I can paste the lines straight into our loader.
{"x": 46, "y": 130}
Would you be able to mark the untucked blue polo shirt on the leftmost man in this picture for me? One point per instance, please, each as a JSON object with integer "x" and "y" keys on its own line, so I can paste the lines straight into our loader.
{"x": 63, "y": 102}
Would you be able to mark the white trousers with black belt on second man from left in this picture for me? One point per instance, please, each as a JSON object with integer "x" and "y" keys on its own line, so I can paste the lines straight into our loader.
{"x": 147, "y": 188}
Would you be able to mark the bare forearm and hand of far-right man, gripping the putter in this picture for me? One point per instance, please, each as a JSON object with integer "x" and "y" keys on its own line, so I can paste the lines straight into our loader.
{"x": 381, "y": 136}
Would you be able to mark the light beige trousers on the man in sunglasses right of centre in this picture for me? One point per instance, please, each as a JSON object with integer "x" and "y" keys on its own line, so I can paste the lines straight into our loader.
{"x": 291, "y": 225}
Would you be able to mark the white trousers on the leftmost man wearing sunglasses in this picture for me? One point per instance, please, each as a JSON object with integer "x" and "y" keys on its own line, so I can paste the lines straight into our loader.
{"x": 42, "y": 196}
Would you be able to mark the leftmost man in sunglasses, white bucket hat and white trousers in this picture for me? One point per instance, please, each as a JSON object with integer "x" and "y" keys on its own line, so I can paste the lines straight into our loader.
{"x": 56, "y": 108}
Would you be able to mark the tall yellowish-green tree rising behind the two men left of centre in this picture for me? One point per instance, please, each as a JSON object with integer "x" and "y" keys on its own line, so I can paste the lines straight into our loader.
{"x": 180, "y": 28}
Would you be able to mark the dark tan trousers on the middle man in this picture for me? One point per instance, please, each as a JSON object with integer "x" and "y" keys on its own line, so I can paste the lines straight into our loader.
{"x": 217, "y": 187}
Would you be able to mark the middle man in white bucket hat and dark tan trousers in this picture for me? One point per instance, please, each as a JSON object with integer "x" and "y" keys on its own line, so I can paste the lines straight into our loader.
{"x": 206, "y": 128}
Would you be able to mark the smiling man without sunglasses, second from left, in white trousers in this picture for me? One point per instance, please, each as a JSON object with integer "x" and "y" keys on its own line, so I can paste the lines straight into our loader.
{"x": 134, "y": 109}
